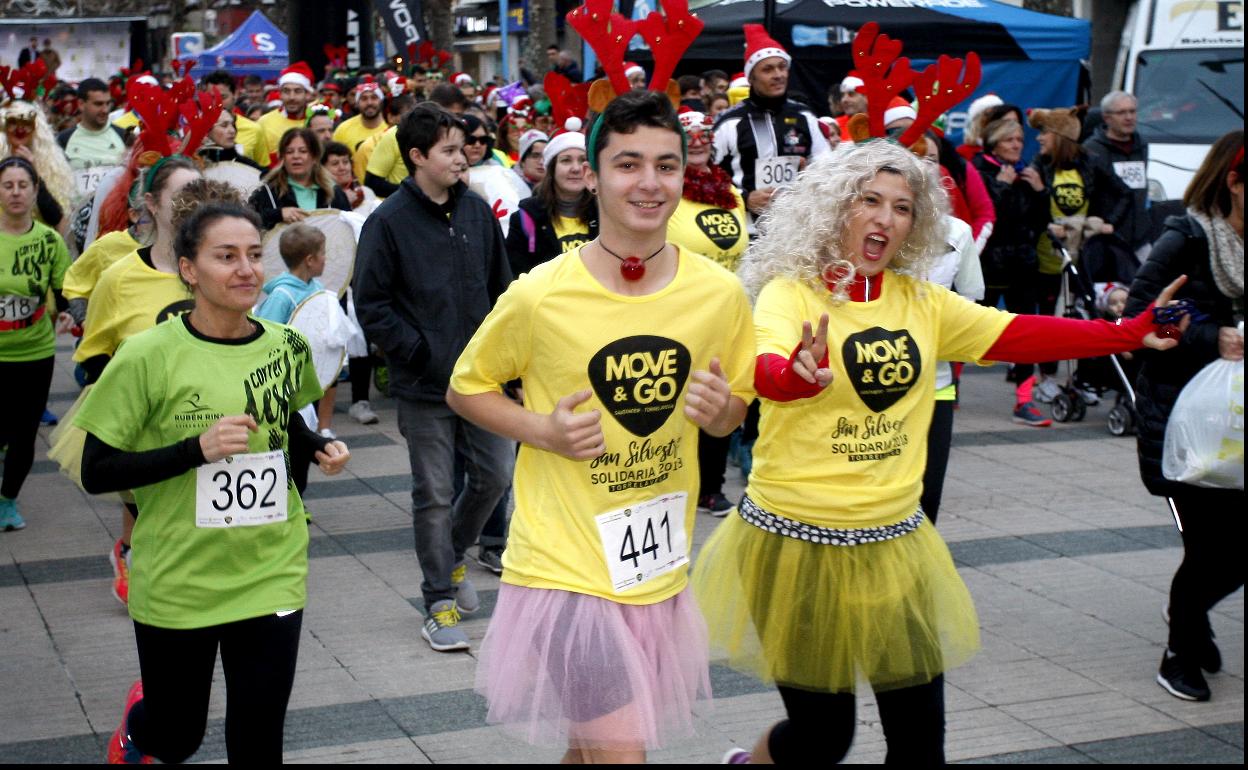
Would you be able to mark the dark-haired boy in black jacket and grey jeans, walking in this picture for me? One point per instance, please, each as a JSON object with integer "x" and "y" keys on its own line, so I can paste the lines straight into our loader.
{"x": 430, "y": 266}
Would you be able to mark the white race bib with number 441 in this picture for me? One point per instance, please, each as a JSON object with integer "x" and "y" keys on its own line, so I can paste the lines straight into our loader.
{"x": 645, "y": 541}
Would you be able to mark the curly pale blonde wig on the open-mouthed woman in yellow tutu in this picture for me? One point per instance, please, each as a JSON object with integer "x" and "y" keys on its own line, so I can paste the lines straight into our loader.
{"x": 803, "y": 231}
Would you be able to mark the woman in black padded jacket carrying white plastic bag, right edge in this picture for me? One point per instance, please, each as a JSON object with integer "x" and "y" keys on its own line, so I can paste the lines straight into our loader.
{"x": 1207, "y": 246}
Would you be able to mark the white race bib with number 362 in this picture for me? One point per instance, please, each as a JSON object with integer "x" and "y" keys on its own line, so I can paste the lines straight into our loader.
{"x": 241, "y": 491}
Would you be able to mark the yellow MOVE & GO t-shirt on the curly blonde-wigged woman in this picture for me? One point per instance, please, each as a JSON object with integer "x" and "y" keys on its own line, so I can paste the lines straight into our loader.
{"x": 854, "y": 455}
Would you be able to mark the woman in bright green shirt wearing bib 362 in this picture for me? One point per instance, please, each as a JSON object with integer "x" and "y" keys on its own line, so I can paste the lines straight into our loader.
{"x": 198, "y": 416}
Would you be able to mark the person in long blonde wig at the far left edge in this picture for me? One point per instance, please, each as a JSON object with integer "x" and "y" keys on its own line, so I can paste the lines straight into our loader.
{"x": 28, "y": 135}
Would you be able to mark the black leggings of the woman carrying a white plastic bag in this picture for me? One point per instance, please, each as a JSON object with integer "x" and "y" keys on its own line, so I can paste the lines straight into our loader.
{"x": 1211, "y": 570}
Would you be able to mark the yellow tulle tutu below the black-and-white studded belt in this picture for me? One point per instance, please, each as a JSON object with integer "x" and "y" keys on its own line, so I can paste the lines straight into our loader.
{"x": 824, "y": 618}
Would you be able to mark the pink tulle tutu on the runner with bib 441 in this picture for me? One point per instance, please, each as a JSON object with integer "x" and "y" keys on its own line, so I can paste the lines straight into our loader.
{"x": 568, "y": 670}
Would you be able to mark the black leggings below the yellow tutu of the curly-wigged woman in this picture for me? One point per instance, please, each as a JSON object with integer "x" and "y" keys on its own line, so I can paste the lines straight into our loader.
{"x": 821, "y": 726}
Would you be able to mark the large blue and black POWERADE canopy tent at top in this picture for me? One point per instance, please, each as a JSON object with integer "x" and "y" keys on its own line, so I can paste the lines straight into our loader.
{"x": 1030, "y": 59}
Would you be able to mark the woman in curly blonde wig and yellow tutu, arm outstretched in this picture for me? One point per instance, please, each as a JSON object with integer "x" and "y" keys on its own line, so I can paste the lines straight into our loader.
{"x": 831, "y": 575}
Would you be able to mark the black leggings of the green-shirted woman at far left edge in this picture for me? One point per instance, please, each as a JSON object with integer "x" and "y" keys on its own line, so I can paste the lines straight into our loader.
{"x": 24, "y": 387}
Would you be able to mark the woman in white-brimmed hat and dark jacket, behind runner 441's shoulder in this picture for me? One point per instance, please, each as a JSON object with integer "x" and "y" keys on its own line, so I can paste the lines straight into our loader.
{"x": 561, "y": 215}
